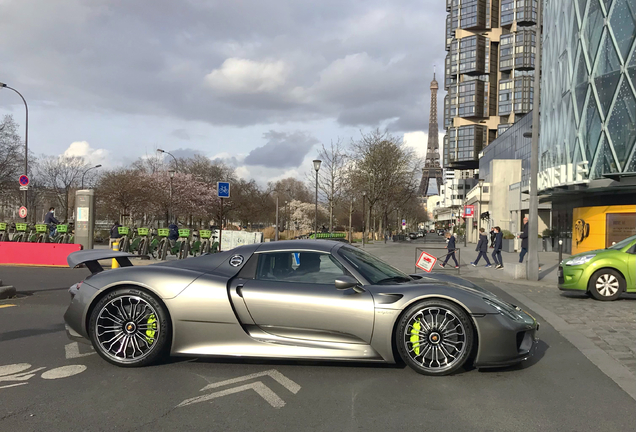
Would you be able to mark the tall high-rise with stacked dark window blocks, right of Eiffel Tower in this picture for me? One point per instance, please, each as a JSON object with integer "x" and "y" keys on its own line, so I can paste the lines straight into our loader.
{"x": 488, "y": 73}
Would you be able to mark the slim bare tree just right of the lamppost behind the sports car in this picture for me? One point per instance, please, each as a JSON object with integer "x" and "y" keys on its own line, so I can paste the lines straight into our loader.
{"x": 333, "y": 175}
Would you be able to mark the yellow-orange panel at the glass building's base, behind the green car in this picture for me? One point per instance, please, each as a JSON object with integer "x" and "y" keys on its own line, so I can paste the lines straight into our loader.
{"x": 597, "y": 227}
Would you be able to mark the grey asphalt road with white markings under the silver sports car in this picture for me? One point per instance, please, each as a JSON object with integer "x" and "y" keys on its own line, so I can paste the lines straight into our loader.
{"x": 48, "y": 383}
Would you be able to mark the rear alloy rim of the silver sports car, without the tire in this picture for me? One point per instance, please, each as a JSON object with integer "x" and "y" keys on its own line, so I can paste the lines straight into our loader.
{"x": 127, "y": 329}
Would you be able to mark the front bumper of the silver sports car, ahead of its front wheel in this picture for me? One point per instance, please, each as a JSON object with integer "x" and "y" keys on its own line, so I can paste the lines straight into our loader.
{"x": 503, "y": 341}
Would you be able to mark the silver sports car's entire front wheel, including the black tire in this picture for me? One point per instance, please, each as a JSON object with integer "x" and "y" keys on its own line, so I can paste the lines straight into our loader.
{"x": 434, "y": 337}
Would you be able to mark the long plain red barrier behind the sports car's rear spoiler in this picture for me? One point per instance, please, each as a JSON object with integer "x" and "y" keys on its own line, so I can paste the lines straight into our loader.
{"x": 36, "y": 254}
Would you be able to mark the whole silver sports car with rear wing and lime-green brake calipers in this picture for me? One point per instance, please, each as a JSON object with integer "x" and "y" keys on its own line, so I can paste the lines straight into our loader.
{"x": 299, "y": 299}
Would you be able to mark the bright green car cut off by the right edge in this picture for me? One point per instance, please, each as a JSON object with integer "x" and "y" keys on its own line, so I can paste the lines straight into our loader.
{"x": 604, "y": 273}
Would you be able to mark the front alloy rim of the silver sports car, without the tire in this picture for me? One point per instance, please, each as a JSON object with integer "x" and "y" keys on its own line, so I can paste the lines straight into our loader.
{"x": 436, "y": 338}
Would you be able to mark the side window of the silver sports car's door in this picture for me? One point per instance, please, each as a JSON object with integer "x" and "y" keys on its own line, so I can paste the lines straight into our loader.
{"x": 299, "y": 267}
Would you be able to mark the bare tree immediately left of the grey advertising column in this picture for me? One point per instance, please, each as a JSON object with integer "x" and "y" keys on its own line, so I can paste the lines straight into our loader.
{"x": 61, "y": 174}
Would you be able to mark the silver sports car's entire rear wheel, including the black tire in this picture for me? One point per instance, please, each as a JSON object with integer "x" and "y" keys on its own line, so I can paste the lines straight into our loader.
{"x": 130, "y": 328}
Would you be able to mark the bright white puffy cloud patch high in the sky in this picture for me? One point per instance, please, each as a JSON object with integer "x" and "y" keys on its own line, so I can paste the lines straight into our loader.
{"x": 247, "y": 76}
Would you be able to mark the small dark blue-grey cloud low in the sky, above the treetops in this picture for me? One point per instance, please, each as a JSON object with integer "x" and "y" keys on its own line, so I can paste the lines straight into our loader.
{"x": 283, "y": 150}
